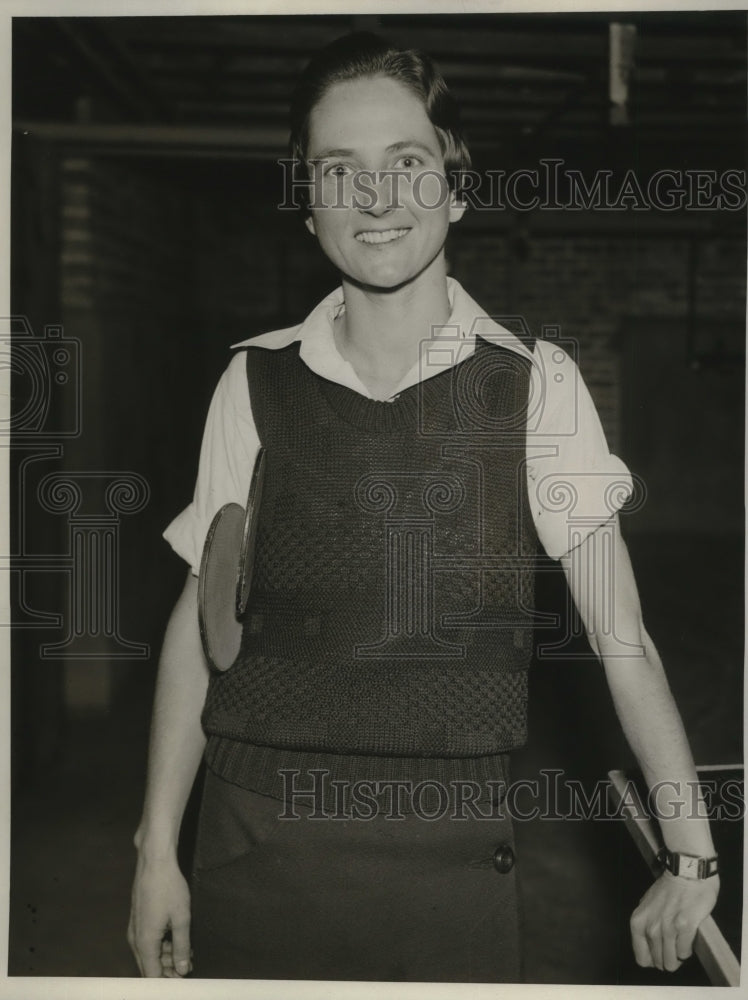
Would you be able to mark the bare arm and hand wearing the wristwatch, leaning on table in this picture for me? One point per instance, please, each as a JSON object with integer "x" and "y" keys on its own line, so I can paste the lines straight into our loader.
{"x": 604, "y": 590}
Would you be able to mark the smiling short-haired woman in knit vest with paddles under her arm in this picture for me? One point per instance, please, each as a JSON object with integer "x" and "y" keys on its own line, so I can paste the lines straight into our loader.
{"x": 386, "y": 642}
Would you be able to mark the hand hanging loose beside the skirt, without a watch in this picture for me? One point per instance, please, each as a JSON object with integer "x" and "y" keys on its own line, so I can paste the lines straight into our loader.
{"x": 160, "y": 904}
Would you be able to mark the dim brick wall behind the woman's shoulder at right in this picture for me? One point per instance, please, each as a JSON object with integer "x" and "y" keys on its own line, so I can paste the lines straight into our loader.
{"x": 591, "y": 286}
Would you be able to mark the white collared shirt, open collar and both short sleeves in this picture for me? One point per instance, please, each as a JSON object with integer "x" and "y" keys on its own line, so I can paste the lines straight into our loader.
{"x": 575, "y": 484}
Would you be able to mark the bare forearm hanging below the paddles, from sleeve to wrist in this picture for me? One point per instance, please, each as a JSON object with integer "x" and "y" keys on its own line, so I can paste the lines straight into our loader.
{"x": 177, "y": 740}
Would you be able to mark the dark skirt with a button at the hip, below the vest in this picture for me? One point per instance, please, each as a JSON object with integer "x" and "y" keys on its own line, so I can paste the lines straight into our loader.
{"x": 383, "y": 899}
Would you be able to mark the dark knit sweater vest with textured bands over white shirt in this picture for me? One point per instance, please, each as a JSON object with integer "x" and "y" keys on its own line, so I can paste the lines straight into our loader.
{"x": 391, "y": 607}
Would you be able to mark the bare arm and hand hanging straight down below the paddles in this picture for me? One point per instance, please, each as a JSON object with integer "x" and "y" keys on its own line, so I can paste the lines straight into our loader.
{"x": 160, "y": 897}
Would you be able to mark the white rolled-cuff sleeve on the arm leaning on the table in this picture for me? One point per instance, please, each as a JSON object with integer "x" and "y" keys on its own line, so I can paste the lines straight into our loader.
{"x": 575, "y": 483}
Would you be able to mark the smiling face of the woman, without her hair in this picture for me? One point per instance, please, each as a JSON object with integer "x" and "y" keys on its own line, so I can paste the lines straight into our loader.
{"x": 380, "y": 230}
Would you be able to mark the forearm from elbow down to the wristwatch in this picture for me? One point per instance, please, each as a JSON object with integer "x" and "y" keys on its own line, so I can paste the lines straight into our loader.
{"x": 653, "y": 727}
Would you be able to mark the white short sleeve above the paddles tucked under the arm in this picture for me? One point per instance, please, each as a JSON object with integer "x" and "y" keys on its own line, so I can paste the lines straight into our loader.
{"x": 227, "y": 454}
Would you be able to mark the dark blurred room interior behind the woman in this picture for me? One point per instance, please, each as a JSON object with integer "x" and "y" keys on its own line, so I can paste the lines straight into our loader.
{"x": 147, "y": 238}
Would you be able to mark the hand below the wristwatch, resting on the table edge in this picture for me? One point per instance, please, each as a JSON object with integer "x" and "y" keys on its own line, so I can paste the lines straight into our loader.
{"x": 665, "y": 922}
